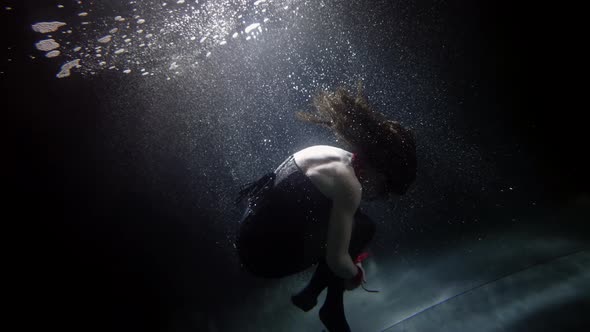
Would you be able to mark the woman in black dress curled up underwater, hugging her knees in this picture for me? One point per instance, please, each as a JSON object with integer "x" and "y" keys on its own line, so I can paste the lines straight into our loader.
{"x": 307, "y": 211}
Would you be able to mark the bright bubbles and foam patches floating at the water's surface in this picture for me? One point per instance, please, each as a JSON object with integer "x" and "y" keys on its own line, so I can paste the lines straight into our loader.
{"x": 145, "y": 35}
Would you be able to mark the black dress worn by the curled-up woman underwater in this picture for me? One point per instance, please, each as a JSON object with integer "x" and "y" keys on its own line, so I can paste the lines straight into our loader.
{"x": 284, "y": 227}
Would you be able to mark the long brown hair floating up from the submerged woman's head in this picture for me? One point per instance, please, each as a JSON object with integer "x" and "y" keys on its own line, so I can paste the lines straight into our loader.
{"x": 384, "y": 144}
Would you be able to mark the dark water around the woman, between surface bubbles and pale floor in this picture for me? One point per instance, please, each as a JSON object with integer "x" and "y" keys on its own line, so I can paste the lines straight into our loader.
{"x": 120, "y": 187}
